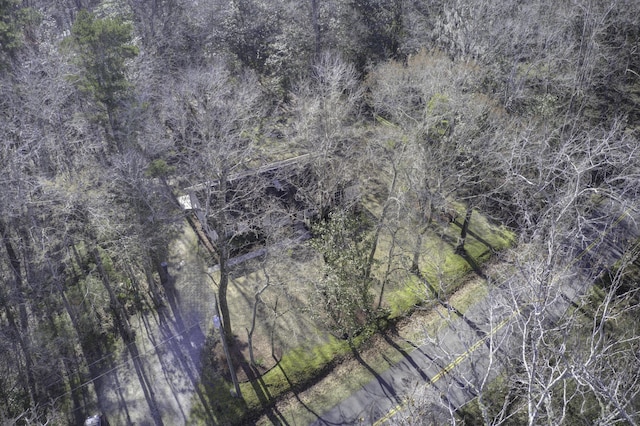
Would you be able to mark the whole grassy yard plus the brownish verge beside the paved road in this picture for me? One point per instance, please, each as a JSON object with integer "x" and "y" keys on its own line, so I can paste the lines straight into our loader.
{"x": 307, "y": 355}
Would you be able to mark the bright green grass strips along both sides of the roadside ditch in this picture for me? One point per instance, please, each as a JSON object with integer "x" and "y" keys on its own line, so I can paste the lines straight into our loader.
{"x": 306, "y": 364}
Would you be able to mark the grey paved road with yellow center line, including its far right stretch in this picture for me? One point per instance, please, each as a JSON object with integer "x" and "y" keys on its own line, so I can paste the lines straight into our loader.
{"x": 448, "y": 368}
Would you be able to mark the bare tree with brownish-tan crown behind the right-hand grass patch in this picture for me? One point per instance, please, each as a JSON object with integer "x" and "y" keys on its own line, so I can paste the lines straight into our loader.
{"x": 444, "y": 130}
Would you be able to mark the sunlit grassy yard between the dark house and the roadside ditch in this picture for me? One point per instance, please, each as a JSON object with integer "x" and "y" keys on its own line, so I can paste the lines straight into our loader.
{"x": 289, "y": 349}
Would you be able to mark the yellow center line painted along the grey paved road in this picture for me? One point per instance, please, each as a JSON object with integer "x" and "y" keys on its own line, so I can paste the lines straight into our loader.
{"x": 392, "y": 412}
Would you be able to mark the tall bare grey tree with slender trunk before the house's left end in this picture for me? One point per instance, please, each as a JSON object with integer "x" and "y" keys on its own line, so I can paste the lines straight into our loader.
{"x": 213, "y": 121}
